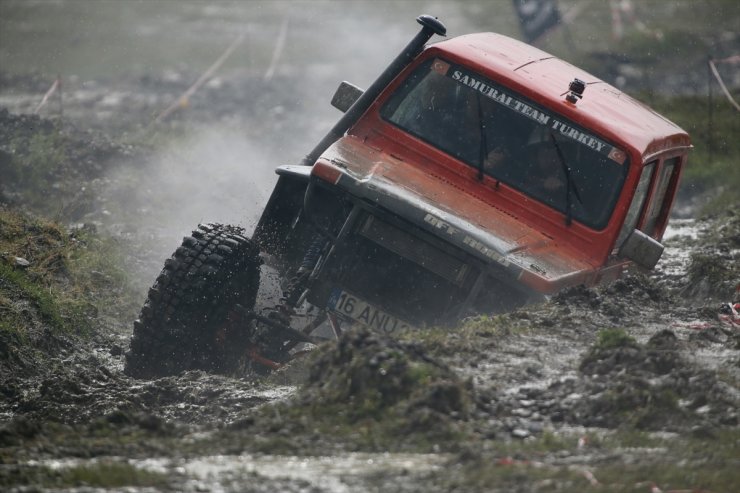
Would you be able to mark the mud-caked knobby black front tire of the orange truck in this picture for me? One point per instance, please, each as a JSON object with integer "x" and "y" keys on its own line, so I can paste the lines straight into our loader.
{"x": 182, "y": 325}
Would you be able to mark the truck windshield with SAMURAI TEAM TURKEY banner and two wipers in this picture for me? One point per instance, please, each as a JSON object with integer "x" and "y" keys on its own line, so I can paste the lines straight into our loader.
{"x": 511, "y": 139}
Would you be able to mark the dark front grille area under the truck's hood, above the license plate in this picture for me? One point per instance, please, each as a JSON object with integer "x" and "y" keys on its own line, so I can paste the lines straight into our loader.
{"x": 400, "y": 269}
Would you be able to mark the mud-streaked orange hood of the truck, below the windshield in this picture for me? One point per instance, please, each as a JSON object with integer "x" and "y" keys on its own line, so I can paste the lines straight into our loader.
{"x": 415, "y": 192}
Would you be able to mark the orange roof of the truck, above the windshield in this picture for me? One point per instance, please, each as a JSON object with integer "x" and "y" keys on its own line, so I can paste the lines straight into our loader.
{"x": 545, "y": 78}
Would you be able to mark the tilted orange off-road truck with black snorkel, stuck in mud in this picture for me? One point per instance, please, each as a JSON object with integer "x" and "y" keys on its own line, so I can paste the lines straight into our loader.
{"x": 474, "y": 175}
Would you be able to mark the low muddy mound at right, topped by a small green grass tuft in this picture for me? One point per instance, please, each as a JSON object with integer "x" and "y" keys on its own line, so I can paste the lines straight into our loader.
{"x": 651, "y": 386}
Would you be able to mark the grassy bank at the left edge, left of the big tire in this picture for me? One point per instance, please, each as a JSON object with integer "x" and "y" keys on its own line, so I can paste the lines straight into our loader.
{"x": 71, "y": 277}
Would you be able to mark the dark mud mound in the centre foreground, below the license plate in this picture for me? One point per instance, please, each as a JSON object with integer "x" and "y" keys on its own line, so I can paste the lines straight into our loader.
{"x": 390, "y": 392}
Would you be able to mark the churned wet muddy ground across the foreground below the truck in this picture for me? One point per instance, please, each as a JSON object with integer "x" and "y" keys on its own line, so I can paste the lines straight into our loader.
{"x": 535, "y": 373}
